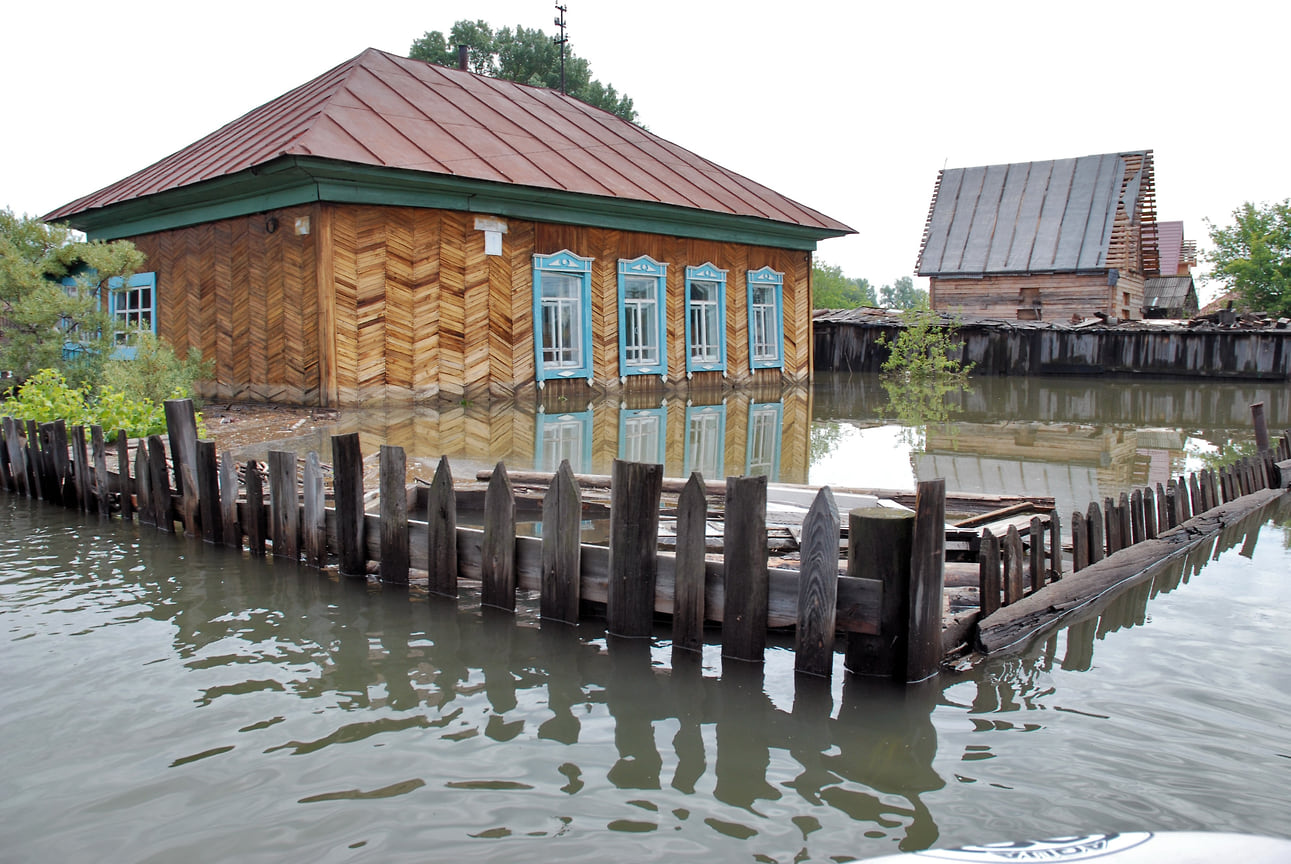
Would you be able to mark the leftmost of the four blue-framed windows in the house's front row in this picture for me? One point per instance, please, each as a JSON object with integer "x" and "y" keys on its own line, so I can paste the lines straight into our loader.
{"x": 562, "y": 316}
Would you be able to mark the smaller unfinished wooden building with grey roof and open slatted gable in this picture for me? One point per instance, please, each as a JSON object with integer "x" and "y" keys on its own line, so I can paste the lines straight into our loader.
{"x": 1049, "y": 241}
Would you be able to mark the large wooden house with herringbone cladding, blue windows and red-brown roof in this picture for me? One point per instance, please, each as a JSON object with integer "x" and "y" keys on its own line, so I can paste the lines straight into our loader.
{"x": 396, "y": 229}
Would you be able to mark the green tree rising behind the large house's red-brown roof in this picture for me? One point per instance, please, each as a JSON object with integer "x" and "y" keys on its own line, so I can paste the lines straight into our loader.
{"x": 524, "y": 56}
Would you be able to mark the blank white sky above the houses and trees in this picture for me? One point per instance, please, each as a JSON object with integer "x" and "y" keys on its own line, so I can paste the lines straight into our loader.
{"x": 849, "y": 108}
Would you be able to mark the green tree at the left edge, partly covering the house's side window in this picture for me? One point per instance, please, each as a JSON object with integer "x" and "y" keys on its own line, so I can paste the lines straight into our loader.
{"x": 52, "y": 299}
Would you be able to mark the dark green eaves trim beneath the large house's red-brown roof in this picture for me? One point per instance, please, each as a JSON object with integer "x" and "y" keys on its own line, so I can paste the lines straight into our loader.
{"x": 300, "y": 180}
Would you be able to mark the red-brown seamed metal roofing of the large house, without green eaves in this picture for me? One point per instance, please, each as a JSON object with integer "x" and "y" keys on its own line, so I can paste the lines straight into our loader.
{"x": 391, "y": 112}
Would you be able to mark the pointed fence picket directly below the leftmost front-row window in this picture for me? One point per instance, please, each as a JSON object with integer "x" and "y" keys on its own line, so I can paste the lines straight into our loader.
{"x": 562, "y": 550}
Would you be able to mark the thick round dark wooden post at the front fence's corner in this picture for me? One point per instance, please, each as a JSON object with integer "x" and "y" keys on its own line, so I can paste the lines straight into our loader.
{"x": 879, "y": 551}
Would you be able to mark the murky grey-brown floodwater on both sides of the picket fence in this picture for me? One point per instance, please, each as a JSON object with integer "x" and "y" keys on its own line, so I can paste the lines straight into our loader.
{"x": 166, "y": 701}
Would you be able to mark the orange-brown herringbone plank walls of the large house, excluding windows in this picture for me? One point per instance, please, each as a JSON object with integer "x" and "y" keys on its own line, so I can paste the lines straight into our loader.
{"x": 335, "y": 305}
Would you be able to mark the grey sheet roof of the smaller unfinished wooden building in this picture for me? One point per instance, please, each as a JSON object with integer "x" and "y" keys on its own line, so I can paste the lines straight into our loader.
{"x": 1027, "y": 218}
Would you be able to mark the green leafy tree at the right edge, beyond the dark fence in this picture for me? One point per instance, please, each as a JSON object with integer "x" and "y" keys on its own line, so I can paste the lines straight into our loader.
{"x": 1253, "y": 256}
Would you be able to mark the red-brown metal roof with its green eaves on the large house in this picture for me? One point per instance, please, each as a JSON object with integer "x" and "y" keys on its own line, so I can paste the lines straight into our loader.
{"x": 388, "y": 130}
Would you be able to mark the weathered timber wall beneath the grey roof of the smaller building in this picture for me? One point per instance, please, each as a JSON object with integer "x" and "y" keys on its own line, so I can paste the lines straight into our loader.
{"x": 1061, "y": 296}
